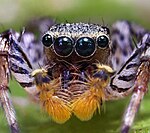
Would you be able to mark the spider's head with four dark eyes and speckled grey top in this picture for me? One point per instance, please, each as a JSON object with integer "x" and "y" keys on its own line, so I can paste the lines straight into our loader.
{"x": 77, "y": 42}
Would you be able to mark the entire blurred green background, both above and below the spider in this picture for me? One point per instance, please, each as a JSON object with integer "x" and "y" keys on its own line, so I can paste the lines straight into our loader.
{"x": 15, "y": 13}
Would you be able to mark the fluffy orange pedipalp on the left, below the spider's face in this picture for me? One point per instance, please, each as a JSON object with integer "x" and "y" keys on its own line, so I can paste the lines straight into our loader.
{"x": 58, "y": 110}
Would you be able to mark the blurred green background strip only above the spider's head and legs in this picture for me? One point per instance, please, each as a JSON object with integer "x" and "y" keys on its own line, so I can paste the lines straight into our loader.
{"x": 14, "y": 13}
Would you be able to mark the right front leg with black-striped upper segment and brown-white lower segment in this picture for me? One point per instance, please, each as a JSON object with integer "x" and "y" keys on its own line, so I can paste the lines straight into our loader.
{"x": 133, "y": 76}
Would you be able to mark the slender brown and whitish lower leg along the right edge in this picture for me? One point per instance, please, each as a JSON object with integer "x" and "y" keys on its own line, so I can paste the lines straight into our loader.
{"x": 140, "y": 88}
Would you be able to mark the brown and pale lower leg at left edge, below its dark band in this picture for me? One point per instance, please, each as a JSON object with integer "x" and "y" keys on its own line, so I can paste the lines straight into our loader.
{"x": 5, "y": 100}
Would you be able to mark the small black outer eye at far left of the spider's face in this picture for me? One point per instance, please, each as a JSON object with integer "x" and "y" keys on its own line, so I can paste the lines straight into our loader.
{"x": 47, "y": 40}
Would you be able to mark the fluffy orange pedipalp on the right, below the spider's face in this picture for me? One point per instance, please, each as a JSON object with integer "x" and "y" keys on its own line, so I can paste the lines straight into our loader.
{"x": 85, "y": 106}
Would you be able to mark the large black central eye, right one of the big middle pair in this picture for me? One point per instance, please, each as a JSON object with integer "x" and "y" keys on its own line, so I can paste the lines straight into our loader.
{"x": 85, "y": 46}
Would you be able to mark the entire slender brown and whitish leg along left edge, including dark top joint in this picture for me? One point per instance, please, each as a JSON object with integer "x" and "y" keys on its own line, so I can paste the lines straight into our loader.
{"x": 5, "y": 100}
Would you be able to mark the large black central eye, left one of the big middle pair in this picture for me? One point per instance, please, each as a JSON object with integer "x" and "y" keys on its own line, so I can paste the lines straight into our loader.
{"x": 63, "y": 46}
